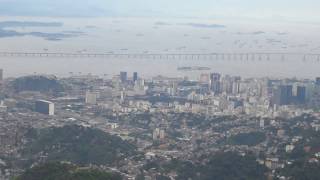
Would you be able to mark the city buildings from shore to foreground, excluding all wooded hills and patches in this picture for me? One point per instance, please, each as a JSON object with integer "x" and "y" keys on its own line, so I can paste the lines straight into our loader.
{"x": 167, "y": 116}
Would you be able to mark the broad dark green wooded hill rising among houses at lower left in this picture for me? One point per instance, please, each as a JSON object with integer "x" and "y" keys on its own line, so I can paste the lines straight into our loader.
{"x": 76, "y": 144}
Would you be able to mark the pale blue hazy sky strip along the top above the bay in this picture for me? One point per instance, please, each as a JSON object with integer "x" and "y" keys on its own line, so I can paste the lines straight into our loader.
{"x": 301, "y": 10}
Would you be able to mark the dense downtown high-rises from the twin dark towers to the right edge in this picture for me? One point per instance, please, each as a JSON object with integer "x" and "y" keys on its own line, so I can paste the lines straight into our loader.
{"x": 214, "y": 94}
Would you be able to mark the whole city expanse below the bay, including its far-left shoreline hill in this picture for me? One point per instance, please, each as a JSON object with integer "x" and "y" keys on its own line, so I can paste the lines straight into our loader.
{"x": 166, "y": 118}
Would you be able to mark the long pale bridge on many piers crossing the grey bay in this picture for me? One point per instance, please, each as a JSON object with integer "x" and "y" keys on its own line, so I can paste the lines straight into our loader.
{"x": 262, "y": 56}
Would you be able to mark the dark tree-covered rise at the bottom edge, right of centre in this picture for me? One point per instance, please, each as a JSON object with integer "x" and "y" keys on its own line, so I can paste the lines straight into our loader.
{"x": 222, "y": 166}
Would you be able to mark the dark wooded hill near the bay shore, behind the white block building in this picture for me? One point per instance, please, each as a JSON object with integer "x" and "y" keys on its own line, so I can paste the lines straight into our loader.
{"x": 37, "y": 83}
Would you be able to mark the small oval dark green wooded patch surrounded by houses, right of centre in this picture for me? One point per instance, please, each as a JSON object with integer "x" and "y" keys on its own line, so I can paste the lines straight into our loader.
{"x": 250, "y": 139}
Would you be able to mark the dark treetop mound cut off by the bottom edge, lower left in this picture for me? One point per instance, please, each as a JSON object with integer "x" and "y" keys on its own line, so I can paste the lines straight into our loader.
{"x": 62, "y": 171}
